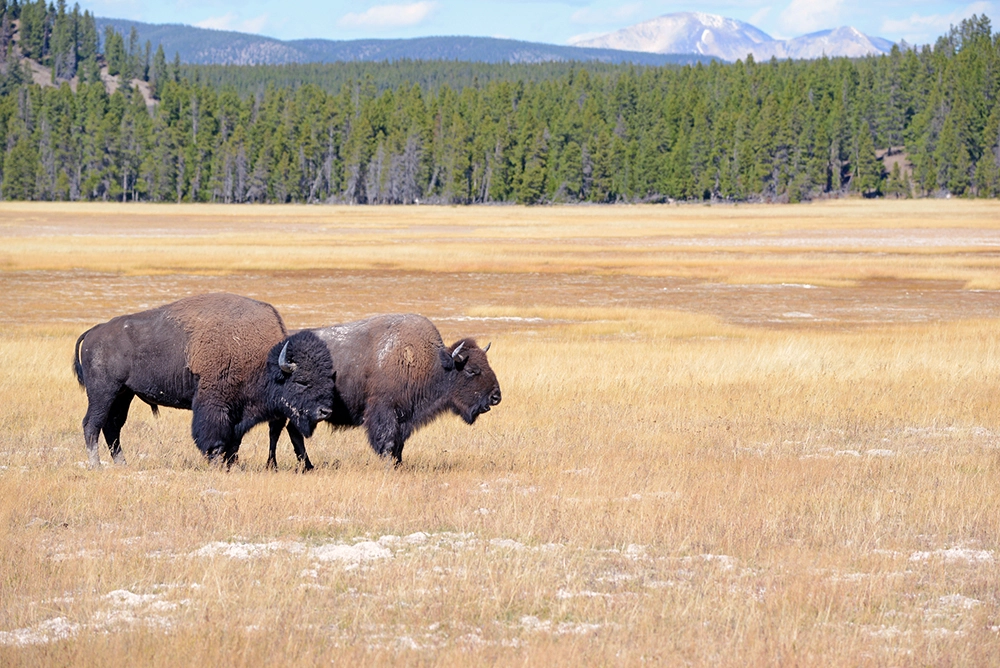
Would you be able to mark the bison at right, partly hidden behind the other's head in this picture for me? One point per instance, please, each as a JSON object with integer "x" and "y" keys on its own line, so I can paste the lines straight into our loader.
{"x": 394, "y": 374}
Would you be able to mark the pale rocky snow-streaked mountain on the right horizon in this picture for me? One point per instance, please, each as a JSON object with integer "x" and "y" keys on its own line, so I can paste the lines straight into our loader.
{"x": 729, "y": 39}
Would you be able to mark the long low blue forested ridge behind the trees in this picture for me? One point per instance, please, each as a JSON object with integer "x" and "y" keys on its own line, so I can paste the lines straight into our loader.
{"x": 201, "y": 46}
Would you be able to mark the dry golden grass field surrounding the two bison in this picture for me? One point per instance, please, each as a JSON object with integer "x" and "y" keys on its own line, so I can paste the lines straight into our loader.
{"x": 730, "y": 435}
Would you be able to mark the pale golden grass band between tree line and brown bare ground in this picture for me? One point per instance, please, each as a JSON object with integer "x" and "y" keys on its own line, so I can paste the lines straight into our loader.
{"x": 690, "y": 241}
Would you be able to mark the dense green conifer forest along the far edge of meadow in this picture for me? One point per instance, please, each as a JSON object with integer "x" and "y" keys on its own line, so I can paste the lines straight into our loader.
{"x": 467, "y": 133}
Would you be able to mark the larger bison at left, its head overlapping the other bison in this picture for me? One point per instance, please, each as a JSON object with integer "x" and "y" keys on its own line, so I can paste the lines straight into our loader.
{"x": 227, "y": 358}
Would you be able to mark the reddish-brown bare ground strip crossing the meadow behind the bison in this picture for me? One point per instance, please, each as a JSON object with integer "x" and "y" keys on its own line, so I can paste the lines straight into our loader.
{"x": 317, "y": 298}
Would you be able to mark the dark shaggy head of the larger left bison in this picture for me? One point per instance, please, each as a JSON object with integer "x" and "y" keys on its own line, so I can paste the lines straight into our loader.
{"x": 302, "y": 380}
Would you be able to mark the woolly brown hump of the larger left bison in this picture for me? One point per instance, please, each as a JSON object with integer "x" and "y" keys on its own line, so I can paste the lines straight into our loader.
{"x": 229, "y": 336}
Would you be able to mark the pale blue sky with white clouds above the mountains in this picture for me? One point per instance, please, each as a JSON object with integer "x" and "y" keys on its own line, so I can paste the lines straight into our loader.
{"x": 552, "y": 21}
